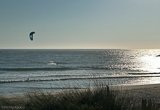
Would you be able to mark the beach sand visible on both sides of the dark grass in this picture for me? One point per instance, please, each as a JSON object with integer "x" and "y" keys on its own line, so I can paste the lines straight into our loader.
{"x": 132, "y": 94}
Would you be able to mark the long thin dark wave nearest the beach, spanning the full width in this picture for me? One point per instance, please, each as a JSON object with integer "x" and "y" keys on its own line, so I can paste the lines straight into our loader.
{"x": 73, "y": 78}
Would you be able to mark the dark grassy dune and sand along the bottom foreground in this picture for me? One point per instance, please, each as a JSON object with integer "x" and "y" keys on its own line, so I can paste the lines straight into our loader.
{"x": 132, "y": 96}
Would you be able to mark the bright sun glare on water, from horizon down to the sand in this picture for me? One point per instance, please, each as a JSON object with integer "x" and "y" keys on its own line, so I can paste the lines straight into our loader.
{"x": 148, "y": 66}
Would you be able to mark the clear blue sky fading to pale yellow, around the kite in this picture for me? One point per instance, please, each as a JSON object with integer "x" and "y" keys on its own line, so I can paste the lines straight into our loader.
{"x": 80, "y": 24}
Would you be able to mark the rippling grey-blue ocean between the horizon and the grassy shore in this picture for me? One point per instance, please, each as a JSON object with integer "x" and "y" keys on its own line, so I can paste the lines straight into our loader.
{"x": 22, "y": 71}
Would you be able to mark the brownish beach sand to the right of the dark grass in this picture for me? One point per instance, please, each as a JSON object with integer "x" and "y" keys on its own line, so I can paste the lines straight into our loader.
{"x": 135, "y": 93}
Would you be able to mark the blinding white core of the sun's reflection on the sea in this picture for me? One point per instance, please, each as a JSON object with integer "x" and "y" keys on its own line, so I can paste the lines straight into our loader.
{"x": 150, "y": 65}
